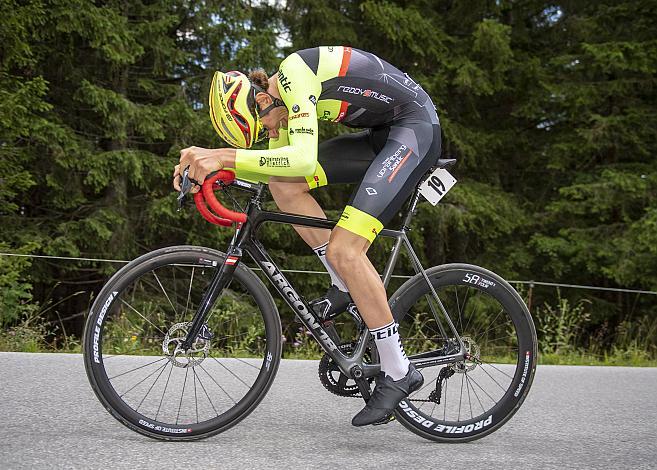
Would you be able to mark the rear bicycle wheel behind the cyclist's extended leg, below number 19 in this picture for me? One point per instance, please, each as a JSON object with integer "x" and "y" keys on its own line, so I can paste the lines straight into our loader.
{"x": 469, "y": 399}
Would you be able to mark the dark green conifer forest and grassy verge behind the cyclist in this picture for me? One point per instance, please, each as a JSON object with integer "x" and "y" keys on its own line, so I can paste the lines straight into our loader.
{"x": 550, "y": 108}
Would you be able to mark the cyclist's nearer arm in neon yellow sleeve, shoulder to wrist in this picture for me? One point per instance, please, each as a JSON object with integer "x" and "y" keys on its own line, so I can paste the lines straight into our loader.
{"x": 296, "y": 83}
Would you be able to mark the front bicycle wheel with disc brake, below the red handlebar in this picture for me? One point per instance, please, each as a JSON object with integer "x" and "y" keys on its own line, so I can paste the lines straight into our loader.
{"x": 113, "y": 330}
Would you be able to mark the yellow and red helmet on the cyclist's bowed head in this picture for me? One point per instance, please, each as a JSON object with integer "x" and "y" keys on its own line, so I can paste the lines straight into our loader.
{"x": 233, "y": 109}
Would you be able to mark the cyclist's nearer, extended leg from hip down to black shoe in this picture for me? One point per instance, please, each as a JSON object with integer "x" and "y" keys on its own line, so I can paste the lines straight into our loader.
{"x": 411, "y": 148}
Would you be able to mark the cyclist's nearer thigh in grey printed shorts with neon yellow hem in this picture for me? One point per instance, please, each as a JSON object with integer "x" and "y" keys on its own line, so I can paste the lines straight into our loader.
{"x": 411, "y": 149}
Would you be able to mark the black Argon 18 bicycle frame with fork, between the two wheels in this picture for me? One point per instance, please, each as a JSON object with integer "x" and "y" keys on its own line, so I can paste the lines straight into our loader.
{"x": 245, "y": 240}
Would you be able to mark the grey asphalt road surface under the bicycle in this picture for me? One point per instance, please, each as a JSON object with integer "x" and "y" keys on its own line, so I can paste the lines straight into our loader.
{"x": 574, "y": 417}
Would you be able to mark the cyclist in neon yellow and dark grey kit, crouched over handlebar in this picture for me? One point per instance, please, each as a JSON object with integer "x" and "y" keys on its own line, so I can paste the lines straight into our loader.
{"x": 401, "y": 141}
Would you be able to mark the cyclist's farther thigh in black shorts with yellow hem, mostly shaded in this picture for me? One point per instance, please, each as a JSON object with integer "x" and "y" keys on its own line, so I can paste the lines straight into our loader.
{"x": 343, "y": 159}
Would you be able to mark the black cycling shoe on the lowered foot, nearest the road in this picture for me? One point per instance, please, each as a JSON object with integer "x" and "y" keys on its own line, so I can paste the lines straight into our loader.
{"x": 386, "y": 396}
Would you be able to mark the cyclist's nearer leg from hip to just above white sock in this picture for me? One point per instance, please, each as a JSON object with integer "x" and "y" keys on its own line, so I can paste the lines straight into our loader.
{"x": 409, "y": 152}
